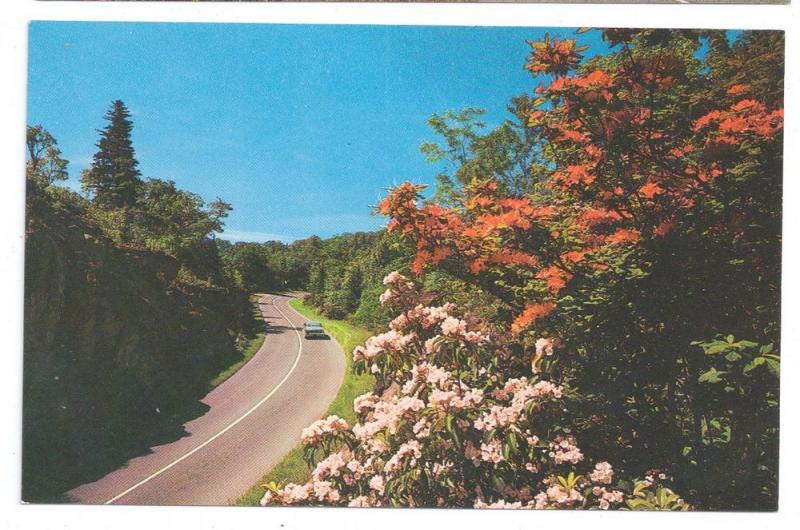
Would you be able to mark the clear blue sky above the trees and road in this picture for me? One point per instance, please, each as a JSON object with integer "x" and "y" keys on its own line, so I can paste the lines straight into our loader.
{"x": 300, "y": 127}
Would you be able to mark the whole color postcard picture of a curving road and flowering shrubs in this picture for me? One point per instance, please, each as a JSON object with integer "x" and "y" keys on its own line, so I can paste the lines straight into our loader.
{"x": 403, "y": 266}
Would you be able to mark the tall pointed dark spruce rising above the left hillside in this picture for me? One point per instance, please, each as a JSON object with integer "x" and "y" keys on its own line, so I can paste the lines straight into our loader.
{"x": 113, "y": 178}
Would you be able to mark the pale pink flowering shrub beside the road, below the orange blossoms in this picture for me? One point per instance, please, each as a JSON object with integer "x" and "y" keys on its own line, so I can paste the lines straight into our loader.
{"x": 452, "y": 430}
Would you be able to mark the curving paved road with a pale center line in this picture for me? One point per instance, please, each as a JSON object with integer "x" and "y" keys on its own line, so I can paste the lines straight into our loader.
{"x": 255, "y": 417}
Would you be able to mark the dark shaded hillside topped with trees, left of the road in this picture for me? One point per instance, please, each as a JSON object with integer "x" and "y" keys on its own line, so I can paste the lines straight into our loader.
{"x": 127, "y": 312}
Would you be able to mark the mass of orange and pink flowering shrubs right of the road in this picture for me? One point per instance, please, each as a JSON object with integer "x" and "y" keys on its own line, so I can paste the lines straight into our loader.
{"x": 590, "y": 313}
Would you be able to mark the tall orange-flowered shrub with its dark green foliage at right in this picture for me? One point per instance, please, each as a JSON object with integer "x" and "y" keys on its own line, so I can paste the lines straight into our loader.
{"x": 652, "y": 228}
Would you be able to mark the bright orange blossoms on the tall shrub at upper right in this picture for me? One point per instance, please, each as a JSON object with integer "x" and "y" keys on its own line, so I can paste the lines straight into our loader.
{"x": 624, "y": 165}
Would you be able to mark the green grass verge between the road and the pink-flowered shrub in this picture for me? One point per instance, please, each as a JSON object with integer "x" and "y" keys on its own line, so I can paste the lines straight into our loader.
{"x": 292, "y": 468}
